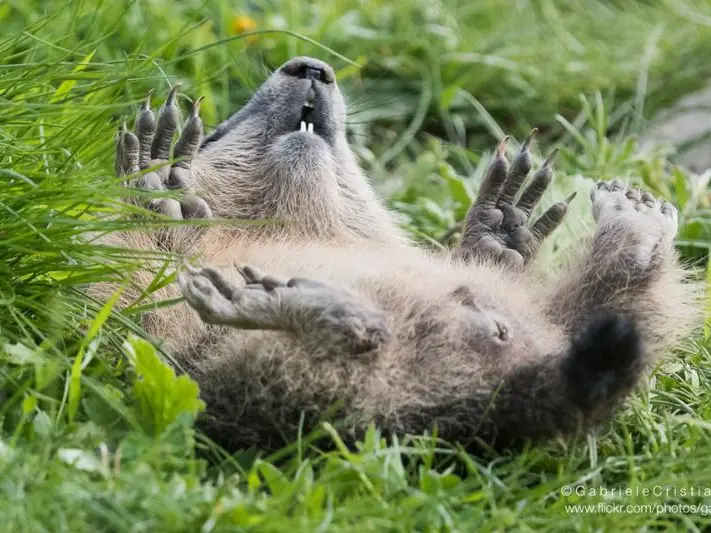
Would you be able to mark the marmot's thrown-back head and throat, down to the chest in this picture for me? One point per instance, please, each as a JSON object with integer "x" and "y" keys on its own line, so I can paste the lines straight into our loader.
{"x": 285, "y": 156}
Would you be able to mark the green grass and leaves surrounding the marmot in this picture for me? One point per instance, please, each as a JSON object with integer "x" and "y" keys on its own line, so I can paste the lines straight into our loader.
{"x": 96, "y": 434}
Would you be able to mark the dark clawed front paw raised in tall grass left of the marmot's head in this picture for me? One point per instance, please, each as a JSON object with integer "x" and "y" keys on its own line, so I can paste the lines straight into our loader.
{"x": 150, "y": 146}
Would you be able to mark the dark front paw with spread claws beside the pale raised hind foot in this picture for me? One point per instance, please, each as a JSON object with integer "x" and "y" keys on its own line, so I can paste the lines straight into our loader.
{"x": 497, "y": 224}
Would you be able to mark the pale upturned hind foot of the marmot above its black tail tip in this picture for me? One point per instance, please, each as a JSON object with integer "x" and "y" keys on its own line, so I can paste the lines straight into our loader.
{"x": 627, "y": 217}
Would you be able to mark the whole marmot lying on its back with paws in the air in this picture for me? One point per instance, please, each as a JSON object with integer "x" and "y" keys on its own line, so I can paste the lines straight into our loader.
{"x": 333, "y": 310}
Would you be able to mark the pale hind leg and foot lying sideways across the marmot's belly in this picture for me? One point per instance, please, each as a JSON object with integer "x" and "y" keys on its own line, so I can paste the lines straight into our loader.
{"x": 329, "y": 321}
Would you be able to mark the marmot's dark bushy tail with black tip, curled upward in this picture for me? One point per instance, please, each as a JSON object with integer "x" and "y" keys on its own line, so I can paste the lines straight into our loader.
{"x": 563, "y": 394}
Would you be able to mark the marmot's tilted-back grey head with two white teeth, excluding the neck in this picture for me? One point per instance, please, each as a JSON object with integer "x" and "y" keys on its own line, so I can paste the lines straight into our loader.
{"x": 291, "y": 134}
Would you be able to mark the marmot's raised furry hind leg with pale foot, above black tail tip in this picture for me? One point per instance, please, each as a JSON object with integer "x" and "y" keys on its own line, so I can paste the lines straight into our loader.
{"x": 630, "y": 267}
